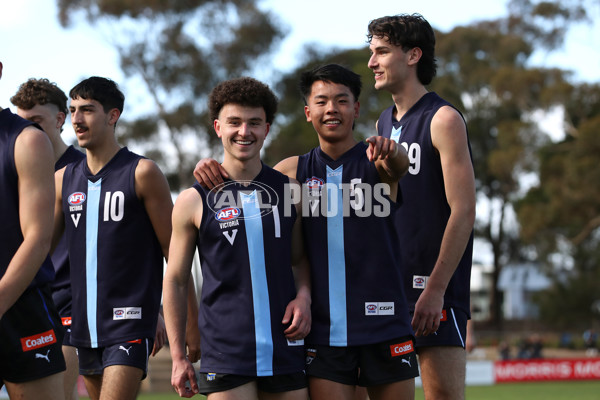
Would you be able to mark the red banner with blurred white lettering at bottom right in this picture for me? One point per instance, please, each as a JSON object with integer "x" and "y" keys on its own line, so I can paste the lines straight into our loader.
{"x": 547, "y": 370}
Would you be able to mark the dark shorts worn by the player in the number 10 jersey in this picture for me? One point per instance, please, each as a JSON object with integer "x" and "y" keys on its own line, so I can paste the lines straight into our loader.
{"x": 134, "y": 353}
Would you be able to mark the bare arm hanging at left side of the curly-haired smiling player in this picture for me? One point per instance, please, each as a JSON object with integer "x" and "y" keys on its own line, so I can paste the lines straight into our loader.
{"x": 187, "y": 215}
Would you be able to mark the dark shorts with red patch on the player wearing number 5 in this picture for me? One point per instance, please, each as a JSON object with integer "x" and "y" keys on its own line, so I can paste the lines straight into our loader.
{"x": 369, "y": 365}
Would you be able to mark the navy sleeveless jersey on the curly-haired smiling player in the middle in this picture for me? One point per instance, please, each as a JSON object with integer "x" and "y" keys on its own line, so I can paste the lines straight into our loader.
{"x": 244, "y": 245}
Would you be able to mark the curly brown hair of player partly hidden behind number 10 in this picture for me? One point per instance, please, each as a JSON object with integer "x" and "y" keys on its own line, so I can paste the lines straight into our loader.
{"x": 40, "y": 91}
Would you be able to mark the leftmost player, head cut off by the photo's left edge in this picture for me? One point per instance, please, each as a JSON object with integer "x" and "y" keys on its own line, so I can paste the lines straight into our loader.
{"x": 31, "y": 360}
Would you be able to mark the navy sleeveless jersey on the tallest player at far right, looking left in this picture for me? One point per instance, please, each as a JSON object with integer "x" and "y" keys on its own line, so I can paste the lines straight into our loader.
{"x": 425, "y": 212}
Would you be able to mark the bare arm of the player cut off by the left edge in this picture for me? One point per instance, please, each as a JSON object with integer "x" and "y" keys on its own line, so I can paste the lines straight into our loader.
{"x": 34, "y": 161}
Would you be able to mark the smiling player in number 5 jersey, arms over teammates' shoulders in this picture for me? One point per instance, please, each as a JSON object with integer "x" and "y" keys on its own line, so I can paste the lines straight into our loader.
{"x": 361, "y": 332}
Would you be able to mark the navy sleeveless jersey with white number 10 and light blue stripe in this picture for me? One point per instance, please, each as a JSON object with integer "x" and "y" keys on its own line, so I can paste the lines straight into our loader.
{"x": 116, "y": 259}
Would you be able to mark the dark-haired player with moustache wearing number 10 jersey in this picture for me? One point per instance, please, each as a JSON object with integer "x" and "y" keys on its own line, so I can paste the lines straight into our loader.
{"x": 115, "y": 207}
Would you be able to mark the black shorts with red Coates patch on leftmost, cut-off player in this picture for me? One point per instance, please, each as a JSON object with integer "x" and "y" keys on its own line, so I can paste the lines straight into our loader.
{"x": 31, "y": 338}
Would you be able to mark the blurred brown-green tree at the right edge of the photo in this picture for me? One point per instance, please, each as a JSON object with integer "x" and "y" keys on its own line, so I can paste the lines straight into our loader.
{"x": 561, "y": 215}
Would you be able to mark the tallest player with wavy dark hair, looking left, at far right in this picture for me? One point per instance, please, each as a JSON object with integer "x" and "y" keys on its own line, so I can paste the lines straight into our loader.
{"x": 435, "y": 223}
